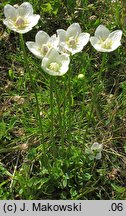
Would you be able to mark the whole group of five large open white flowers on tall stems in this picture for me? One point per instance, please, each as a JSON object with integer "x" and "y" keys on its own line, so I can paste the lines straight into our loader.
{"x": 55, "y": 51}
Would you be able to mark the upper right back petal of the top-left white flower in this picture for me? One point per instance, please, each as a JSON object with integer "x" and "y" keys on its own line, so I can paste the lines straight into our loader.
{"x": 25, "y": 9}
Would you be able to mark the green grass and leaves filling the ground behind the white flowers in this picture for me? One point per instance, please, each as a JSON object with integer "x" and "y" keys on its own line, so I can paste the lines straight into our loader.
{"x": 83, "y": 111}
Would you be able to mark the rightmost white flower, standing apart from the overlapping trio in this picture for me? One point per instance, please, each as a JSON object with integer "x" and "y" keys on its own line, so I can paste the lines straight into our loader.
{"x": 104, "y": 41}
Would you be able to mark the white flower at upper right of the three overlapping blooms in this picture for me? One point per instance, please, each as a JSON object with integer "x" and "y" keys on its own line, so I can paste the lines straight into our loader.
{"x": 72, "y": 39}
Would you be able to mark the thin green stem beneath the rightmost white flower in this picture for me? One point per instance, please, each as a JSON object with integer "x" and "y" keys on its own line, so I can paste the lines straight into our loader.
{"x": 95, "y": 95}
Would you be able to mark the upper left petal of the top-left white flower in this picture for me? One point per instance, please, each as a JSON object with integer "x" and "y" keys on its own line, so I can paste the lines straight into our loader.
{"x": 10, "y": 12}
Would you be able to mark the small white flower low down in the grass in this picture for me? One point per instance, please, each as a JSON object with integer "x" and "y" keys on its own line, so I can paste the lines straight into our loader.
{"x": 96, "y": 149}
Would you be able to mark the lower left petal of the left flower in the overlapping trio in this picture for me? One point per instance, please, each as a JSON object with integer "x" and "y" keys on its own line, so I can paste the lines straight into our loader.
{"x": 34, "y": 49}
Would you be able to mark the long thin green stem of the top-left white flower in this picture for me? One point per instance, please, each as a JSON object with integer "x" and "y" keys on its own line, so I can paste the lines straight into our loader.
{"x": 34, "y": 89}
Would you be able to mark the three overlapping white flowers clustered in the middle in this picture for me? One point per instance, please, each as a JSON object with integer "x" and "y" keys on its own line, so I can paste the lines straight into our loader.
{"x": 55, "y": 50}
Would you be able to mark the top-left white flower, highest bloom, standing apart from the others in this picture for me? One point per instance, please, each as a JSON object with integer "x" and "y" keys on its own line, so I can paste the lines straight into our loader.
{"x": 21, "y": 18}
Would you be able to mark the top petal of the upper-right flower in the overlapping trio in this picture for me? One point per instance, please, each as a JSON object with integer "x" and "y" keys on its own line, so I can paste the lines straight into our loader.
{"x": 73, "y": 30}
